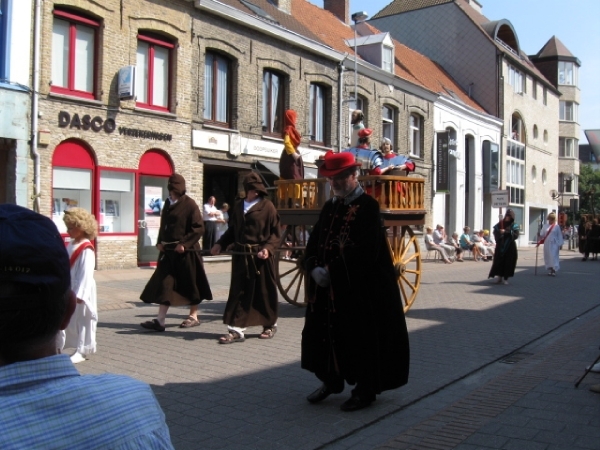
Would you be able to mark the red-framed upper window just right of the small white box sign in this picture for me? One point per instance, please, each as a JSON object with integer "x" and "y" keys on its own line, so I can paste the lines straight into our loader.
{"x": 153, "y": 78}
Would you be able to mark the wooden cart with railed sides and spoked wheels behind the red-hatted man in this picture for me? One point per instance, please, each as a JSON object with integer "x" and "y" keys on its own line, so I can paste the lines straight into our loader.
{"x": 401, "y": 201}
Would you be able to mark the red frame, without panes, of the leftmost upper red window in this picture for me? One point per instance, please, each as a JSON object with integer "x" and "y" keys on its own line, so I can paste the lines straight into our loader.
{"x": 73, "y": 20}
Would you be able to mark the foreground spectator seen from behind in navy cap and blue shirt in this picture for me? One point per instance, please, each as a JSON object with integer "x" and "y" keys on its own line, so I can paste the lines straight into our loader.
{"x": 46, "y": 403}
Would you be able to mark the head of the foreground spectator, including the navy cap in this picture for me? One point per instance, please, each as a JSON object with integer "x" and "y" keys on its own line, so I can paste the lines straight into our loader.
{"x": 35, "y": 296}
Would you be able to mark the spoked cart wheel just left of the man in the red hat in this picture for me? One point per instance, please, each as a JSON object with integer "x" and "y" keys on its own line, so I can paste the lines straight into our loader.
{"x": 290, "y": 274}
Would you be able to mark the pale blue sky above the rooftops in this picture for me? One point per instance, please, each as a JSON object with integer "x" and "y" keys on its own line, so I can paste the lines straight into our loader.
{"x": 576, "y": 23}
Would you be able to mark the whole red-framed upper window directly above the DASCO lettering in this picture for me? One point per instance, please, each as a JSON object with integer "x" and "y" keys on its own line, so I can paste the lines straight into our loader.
{"x": 74, "y": 45}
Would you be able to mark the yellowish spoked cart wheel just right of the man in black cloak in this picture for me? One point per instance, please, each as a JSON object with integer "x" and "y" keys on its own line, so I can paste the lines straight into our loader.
{"x": 406, "y": 254}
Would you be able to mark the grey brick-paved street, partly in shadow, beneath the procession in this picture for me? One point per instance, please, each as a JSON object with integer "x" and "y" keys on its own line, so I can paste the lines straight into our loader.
{"x": 460, "y": 395}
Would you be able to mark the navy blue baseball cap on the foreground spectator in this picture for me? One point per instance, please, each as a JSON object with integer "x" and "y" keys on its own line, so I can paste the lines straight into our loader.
{"x": 32, "y": 250}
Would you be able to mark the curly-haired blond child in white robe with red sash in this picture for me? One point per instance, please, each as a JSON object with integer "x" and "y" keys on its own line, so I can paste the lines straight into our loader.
{"x": 81, "y": 332}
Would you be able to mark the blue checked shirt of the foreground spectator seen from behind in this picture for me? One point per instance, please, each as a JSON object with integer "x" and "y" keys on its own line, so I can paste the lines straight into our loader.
{"x": 46, "y": 404}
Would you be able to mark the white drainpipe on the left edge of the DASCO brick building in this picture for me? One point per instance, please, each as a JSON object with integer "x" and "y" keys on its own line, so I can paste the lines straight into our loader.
{"x": 34, "y": 106}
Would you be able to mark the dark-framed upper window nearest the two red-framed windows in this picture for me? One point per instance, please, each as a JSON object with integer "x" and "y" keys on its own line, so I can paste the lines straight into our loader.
{"x": 217, "y": 81}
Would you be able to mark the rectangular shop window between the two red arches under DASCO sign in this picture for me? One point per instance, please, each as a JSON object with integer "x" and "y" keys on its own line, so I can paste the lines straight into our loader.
{"x": 117, "y": 202}
